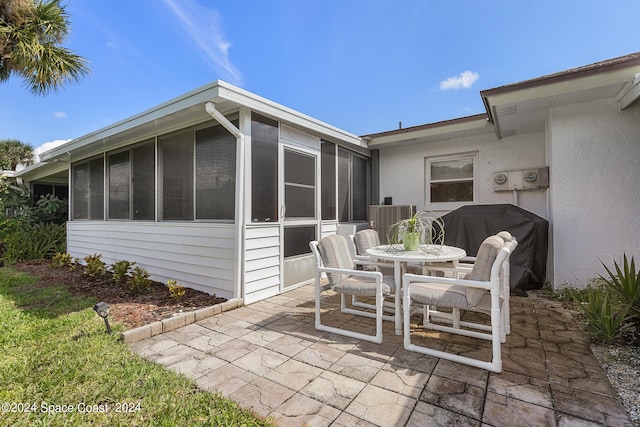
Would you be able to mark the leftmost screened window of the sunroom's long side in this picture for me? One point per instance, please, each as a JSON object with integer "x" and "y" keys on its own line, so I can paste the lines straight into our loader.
{"x": 87, "y": 181}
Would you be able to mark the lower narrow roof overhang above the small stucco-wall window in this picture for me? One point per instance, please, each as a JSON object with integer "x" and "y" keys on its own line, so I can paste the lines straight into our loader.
{"x": 449, "y": 129}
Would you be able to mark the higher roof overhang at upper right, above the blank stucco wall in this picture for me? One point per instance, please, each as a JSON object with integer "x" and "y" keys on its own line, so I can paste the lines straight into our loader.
{"x": 524, "y": 107}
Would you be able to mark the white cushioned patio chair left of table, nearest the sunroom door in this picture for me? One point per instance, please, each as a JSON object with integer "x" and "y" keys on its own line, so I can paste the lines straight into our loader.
{"x": 333, "y": 257}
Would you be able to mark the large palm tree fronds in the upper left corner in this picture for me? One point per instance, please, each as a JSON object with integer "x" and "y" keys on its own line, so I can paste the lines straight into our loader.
{"x": 30, "y": 34}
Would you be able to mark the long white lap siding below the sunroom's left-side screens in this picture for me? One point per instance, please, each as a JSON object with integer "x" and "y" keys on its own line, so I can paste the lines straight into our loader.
{"x": 198, "y": 255}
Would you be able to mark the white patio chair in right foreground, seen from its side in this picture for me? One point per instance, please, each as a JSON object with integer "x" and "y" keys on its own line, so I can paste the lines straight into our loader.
{"x": 463, "y": 294}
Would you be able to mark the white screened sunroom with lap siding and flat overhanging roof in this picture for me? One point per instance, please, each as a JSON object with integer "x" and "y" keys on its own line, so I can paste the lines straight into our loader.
{"x": 218, "y": 189}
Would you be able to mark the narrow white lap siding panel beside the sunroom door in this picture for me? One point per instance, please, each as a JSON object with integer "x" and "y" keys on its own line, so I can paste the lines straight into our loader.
{"x": 261, "y": 262}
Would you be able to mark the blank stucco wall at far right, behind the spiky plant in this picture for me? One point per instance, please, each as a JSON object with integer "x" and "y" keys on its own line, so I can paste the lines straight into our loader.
{"x": 594, "y": 153}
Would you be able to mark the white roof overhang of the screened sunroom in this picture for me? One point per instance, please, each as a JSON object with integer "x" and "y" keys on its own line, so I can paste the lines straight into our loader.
{"x": 189, "y": 110}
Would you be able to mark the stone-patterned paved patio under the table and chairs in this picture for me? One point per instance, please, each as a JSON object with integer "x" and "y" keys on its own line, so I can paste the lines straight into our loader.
{"x": 269, "y": 358}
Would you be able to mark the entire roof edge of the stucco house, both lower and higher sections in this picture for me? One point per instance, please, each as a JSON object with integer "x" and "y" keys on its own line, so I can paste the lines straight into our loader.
{"x": 523, "y": 107}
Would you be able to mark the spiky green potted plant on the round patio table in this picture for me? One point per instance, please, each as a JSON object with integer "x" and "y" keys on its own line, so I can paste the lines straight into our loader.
{"x": 417, "y": 229}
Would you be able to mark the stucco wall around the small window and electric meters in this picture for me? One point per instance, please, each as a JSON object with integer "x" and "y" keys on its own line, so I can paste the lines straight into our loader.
{"x": 402, "y": 168}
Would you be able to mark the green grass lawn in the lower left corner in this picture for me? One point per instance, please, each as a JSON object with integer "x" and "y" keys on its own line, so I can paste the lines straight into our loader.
{"x": 59, "y": 367}
